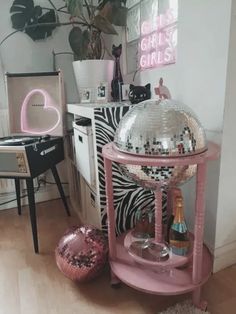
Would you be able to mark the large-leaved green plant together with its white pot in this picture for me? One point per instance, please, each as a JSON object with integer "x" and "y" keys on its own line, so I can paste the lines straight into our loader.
{"x": 90, "y": 19}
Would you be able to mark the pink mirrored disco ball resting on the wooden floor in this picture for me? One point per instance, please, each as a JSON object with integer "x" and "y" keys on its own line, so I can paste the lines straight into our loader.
{"x": 81, "y": 253}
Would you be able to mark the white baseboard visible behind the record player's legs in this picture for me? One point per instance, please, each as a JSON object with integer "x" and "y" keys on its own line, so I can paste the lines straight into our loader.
{"x": 45, "y": 193}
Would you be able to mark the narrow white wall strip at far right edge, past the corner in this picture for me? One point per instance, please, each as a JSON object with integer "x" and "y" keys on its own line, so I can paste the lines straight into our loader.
{"x": 225, "y": 244}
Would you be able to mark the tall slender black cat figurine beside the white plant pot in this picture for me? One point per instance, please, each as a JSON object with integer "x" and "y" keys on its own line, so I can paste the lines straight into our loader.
{"x": 117, "y": 76}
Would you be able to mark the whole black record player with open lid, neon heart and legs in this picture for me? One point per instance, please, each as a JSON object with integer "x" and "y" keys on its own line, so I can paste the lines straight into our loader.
{"x": 36, "y": 106}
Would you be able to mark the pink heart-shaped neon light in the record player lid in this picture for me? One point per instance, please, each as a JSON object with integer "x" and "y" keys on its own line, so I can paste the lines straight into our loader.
{"x": 47, "y": 106}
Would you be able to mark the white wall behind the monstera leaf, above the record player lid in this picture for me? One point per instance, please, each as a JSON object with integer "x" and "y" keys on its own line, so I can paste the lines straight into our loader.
{"x": 20, "y": 53}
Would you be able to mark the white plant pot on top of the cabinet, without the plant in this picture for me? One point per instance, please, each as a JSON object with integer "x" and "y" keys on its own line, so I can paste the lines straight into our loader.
{"x": 89, "y": 74}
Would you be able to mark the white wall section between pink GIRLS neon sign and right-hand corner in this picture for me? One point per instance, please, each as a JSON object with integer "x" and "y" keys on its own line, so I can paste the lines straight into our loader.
{"x": 199, "y": 75}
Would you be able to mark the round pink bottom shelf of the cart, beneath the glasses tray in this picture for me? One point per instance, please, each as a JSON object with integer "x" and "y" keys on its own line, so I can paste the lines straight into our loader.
{"x": 157, "y": 280}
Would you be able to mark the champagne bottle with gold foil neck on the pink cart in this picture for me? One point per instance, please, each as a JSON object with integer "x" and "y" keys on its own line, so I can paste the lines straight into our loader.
{"x": 179, "y": 235}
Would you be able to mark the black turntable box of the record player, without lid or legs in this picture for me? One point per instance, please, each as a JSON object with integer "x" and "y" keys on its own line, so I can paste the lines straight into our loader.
{"x": 29, "y": 156}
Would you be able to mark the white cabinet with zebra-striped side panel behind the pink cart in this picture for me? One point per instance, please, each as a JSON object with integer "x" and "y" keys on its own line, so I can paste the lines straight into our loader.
{"x": 86, "y": 169}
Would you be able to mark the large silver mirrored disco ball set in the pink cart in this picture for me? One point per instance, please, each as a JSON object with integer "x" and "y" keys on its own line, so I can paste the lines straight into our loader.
{"x": 160, "y": 128}
